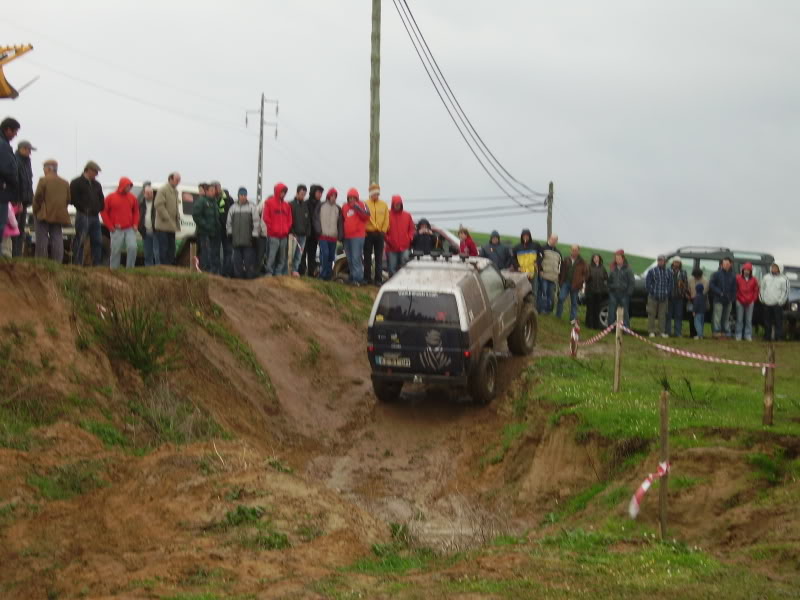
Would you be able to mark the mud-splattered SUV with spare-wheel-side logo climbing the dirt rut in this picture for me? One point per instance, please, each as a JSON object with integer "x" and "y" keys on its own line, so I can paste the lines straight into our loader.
{"x": 441, "y": 320}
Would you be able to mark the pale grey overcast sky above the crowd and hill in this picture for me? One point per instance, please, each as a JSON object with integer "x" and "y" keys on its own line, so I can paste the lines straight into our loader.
{"x": 661, "y": 123}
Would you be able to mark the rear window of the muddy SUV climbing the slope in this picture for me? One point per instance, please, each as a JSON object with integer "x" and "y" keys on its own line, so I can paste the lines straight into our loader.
{"x": 418, "y": 307}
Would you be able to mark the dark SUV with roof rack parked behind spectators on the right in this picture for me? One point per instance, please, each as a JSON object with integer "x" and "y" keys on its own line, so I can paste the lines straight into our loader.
{"x": 706, "y": 258}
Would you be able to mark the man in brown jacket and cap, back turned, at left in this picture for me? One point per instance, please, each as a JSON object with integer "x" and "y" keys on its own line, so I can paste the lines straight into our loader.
{"x": 50, "y": 209}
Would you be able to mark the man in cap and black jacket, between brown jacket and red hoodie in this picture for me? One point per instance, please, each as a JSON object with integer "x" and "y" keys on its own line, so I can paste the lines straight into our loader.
{"x": 86, "y": 195}
